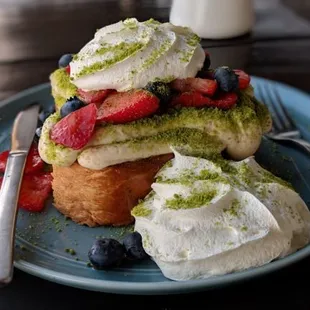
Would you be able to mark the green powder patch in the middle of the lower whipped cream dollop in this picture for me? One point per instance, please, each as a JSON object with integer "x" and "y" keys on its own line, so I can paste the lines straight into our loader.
{"x": 195, "y": 200}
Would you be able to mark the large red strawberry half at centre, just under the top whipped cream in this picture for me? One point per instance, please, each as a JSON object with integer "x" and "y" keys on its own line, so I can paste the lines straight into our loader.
{"x": 128, "y": 106}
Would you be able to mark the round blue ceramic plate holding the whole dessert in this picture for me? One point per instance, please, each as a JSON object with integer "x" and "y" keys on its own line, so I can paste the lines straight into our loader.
{"x": 43, "y": 240}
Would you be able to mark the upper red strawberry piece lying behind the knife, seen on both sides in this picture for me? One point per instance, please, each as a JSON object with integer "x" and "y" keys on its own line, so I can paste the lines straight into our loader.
{"x": 34, "y": 162}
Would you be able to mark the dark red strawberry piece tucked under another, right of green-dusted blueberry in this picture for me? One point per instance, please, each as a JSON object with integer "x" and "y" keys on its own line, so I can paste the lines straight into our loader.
{"x": 191, "y": 99}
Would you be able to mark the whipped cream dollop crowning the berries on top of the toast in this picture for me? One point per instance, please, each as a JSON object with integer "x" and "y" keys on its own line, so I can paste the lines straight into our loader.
{"x": 129, "y": 54}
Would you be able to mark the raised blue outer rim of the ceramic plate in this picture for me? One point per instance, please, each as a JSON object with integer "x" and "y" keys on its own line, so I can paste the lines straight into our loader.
{"x": 155, "y": 288}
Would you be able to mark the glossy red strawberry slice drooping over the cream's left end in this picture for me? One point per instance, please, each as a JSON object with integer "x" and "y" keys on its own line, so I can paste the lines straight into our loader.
{"x": 76, "y": 129}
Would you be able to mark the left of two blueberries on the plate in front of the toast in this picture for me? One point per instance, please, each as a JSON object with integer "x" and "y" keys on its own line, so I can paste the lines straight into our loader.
{"x": 105, "y": 253}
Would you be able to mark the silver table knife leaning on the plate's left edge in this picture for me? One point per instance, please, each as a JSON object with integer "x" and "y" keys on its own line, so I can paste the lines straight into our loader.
{"x": 23, "y": 132}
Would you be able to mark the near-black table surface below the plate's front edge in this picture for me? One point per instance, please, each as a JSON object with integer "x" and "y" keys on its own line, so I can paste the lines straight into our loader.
{"x": 281, "y": 290}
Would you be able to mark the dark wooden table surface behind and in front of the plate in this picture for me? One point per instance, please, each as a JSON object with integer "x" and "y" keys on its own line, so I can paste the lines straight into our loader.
{"x": 34, "y": 34}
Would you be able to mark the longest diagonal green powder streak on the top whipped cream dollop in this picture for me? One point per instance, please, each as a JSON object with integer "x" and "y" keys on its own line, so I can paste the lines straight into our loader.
{"x": 119, "y": 53}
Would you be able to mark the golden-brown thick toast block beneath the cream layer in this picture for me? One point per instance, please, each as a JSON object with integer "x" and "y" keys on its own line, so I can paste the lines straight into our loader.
{"x": 104, "y": 197}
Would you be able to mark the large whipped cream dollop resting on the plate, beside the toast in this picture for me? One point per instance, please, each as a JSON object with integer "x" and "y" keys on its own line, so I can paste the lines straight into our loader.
{"x": 205, "y": 218}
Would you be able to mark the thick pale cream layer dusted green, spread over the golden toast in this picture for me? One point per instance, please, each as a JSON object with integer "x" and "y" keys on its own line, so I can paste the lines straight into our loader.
{"x": 198, "y": 131}
